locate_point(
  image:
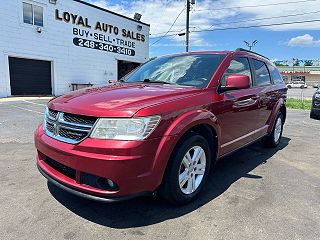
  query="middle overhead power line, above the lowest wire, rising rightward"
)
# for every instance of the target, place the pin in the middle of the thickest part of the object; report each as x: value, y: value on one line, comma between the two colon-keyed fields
x: 238, y: 21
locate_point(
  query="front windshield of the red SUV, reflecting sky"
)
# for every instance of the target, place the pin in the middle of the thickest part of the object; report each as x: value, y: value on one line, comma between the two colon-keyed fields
x: 194, y: 70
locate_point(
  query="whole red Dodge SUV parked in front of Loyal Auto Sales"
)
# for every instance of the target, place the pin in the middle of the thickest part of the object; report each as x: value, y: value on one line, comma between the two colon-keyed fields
x: 162, y: 127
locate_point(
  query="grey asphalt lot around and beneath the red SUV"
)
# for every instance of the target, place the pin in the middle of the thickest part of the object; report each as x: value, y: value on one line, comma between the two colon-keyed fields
x: 255, y: 193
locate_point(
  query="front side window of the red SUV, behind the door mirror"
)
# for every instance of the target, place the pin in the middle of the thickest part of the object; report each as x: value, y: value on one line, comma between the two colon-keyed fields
x: 237, y: 66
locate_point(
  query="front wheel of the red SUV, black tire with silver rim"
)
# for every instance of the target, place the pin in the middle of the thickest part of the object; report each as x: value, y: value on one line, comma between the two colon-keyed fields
x: 187, y: 170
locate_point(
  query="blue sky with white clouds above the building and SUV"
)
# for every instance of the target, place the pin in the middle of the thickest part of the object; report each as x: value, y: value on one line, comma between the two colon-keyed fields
x: 277, y: 42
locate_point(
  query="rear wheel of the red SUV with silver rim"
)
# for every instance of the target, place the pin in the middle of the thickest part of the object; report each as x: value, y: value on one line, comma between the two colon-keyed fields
x: 273, y: 139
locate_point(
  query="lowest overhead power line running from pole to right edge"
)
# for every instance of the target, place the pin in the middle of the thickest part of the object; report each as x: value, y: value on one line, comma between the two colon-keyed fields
x: 245, y: 27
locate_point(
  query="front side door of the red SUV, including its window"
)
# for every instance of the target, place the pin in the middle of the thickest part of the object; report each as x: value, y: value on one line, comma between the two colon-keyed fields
x: 237, y: 111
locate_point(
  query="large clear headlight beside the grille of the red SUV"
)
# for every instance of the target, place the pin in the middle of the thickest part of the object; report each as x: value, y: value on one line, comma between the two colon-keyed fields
x: 125, y: 128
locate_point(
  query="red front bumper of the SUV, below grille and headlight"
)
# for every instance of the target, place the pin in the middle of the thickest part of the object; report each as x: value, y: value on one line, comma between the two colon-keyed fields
x: 129, y: 164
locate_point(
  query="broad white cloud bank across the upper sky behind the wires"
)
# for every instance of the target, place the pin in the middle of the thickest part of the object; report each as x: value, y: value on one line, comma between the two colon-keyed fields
x: 160, y: 14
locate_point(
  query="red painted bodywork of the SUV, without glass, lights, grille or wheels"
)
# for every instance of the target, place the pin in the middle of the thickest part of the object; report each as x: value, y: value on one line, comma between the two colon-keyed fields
x: 237, y: 117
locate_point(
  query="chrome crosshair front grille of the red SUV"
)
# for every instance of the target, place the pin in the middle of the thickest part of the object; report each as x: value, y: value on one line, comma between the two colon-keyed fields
x: 66, y: 127
